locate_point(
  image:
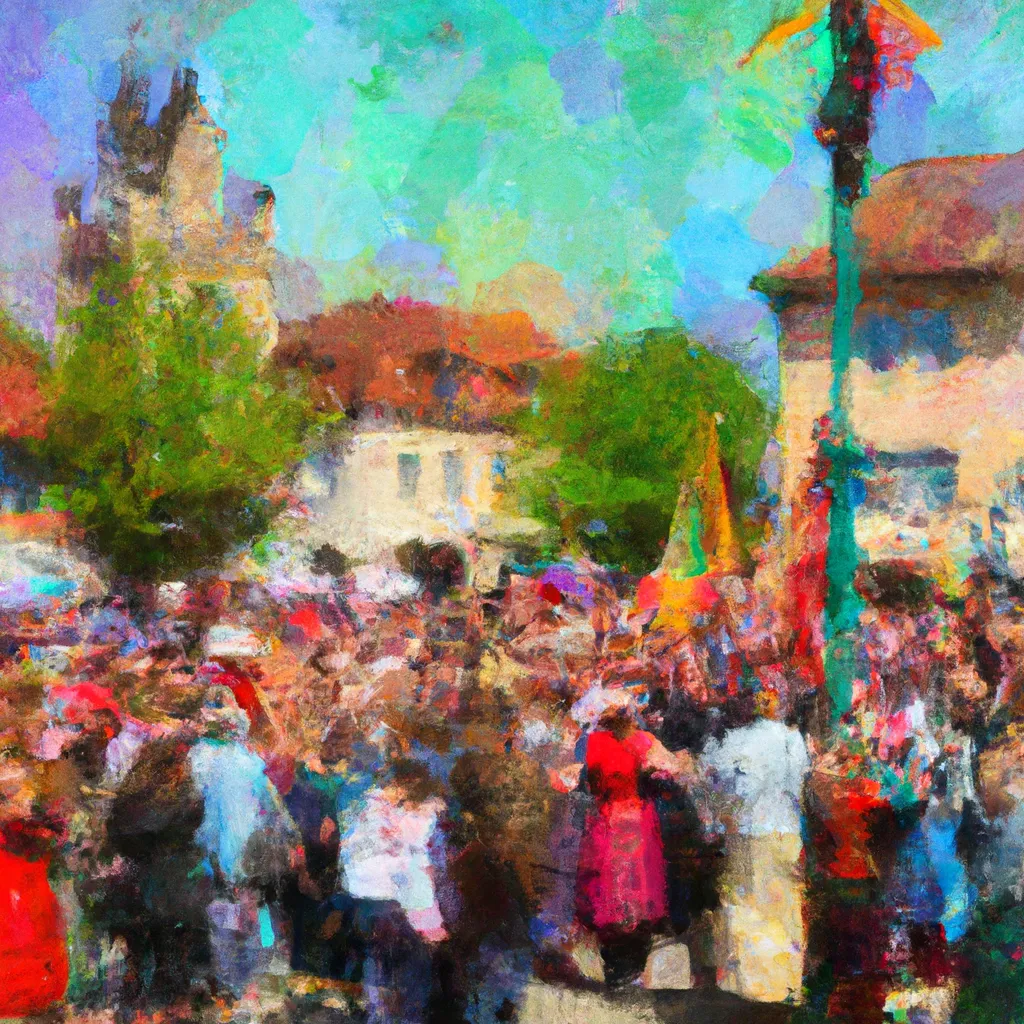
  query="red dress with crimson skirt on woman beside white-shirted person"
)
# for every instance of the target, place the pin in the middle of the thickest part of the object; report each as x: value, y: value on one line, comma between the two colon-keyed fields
x: 621, y: 881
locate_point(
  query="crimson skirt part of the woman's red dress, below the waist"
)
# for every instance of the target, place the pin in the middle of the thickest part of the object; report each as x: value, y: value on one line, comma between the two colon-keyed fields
x: 621, y: 881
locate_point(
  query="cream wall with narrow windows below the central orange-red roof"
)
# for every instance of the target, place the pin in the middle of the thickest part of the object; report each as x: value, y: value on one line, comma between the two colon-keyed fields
x: 365, y: 505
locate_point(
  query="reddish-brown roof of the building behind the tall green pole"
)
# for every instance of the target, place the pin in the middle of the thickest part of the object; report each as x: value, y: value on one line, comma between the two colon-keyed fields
x: 950, y: 217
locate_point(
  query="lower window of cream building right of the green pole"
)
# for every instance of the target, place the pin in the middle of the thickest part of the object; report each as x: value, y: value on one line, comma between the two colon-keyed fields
x: 908, y: 483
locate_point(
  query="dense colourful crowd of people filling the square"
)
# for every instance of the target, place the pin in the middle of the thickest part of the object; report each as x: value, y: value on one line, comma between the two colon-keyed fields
x: 424, y: 797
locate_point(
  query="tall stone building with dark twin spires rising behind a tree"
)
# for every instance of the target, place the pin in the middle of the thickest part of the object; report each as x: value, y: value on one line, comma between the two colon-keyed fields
x: 164, y: 182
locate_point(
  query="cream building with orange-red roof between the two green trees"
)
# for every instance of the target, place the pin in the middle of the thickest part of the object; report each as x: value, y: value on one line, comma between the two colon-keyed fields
x: 426, y: 390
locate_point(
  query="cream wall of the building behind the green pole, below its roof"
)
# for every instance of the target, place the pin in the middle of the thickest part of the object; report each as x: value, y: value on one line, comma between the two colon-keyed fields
x: 937, y: 366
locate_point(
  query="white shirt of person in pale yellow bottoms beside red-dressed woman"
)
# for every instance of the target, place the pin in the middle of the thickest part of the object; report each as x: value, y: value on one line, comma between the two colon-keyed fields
x: 760, y: 771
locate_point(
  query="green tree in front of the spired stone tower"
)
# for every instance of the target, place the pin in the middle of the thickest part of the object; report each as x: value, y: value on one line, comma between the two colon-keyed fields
x: 166, y: 426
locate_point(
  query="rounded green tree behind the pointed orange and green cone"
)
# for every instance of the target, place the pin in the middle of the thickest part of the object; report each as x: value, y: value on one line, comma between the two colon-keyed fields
x: 628, y: 419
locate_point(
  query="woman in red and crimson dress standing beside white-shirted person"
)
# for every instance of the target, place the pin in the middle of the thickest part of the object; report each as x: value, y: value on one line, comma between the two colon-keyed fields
x: 621, y: 880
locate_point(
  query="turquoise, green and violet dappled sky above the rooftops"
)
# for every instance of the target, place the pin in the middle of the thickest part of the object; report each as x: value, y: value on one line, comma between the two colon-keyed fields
x: 604, y: 164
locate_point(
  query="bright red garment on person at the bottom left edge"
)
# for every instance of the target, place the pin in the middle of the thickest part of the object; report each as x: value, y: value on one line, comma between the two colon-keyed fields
x: 33, y: 952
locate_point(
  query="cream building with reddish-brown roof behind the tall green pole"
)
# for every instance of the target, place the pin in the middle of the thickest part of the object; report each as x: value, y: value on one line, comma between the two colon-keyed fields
x: 938, y: 365
